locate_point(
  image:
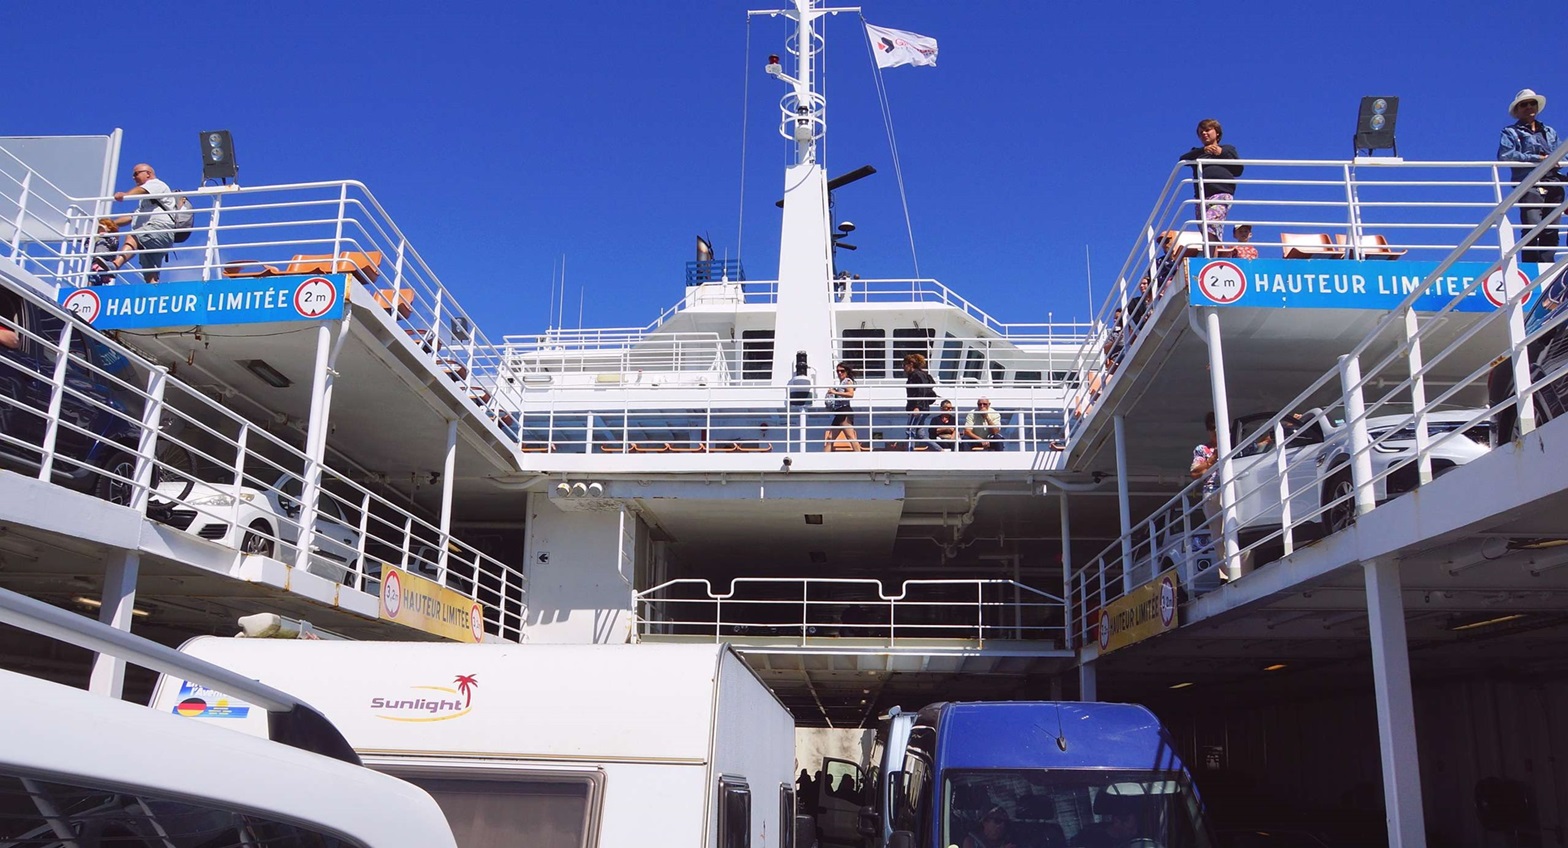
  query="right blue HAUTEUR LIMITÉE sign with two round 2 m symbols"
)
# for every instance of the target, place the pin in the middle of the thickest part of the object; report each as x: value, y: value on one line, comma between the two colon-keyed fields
x: 1346, y: 284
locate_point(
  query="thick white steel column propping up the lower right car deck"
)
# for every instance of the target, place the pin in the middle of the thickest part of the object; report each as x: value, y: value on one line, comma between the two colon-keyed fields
x: 1396, y: 719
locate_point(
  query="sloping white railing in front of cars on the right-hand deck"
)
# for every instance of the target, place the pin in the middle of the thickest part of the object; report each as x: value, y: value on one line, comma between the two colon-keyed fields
x: 1376, y: 427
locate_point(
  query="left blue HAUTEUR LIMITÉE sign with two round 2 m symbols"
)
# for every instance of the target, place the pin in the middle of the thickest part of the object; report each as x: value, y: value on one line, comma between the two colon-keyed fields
x: 227, y: 302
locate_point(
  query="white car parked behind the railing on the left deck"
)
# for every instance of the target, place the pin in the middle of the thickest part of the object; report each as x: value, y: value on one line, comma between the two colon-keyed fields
x: 264, y: 523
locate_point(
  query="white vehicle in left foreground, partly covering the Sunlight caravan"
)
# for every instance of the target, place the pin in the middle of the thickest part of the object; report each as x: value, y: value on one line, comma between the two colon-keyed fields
x: 82, y: 769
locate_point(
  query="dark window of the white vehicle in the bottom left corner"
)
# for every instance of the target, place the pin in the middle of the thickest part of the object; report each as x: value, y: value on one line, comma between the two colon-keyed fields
x: 32, y: 811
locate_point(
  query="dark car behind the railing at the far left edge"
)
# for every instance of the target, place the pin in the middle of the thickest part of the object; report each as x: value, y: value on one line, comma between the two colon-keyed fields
x: 95, y: 446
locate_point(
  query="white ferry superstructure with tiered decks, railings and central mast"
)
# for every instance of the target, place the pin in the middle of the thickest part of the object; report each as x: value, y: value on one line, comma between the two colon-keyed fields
x: 369, y: 457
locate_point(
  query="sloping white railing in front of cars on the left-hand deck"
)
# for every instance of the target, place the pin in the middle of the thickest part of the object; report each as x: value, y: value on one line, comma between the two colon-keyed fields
x: 84, y: 411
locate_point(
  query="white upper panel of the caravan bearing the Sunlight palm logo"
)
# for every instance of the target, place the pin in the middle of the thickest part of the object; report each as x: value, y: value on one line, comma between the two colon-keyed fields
x: 546, y: 701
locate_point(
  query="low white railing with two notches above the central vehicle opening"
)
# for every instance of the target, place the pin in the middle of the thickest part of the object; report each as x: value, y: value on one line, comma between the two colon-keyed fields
x: 800, y: 611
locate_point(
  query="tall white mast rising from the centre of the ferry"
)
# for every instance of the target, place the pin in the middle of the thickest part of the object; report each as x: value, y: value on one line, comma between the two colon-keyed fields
x: 805, y: 299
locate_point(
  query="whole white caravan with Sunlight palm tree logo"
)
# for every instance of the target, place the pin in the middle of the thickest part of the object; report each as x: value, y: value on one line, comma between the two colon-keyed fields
x: 546, y: 745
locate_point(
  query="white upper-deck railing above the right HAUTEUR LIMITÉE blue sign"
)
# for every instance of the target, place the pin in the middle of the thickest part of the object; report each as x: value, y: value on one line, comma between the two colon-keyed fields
x: 1421, y: 211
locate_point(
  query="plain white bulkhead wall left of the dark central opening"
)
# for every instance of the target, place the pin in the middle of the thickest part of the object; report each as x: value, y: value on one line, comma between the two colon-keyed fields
x: 581, y: 567
